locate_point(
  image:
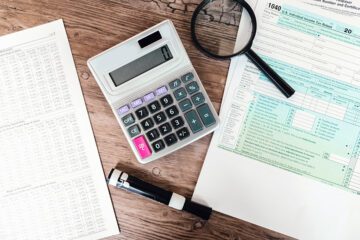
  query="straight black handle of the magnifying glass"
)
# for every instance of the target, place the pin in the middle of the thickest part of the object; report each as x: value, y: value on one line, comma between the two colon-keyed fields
x: 280, y: 83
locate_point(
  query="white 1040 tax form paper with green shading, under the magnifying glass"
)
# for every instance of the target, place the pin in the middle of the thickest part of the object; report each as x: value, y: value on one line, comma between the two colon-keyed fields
x: 291, y: 165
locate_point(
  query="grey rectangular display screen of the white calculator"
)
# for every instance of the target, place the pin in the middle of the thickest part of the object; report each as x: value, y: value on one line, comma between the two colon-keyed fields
x: 141, y: 65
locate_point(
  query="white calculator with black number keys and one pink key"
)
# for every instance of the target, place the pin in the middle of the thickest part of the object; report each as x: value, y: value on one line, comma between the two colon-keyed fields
x: 154, y: 92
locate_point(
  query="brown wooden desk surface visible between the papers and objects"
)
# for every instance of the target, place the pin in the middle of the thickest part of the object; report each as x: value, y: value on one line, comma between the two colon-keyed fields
x: 95, y: 25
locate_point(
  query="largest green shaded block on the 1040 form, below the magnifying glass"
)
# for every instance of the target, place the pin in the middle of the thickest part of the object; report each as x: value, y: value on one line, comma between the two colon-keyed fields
x: 267, y: 135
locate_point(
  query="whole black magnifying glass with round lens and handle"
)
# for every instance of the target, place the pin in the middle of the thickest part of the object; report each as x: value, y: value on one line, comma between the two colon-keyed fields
x: 215, y: 26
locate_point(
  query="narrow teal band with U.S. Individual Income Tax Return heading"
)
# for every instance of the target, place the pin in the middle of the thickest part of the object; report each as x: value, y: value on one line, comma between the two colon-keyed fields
x: 311, y: 24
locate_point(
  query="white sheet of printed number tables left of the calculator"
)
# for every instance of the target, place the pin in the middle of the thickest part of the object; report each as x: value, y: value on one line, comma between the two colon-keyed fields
x: 51, y: 181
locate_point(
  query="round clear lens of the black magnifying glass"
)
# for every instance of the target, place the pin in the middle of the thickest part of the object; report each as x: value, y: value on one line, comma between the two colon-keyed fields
x: 218, y: 24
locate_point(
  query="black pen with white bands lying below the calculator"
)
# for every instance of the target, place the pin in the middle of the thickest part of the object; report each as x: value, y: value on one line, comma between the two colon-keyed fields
x: 122, y: 180
